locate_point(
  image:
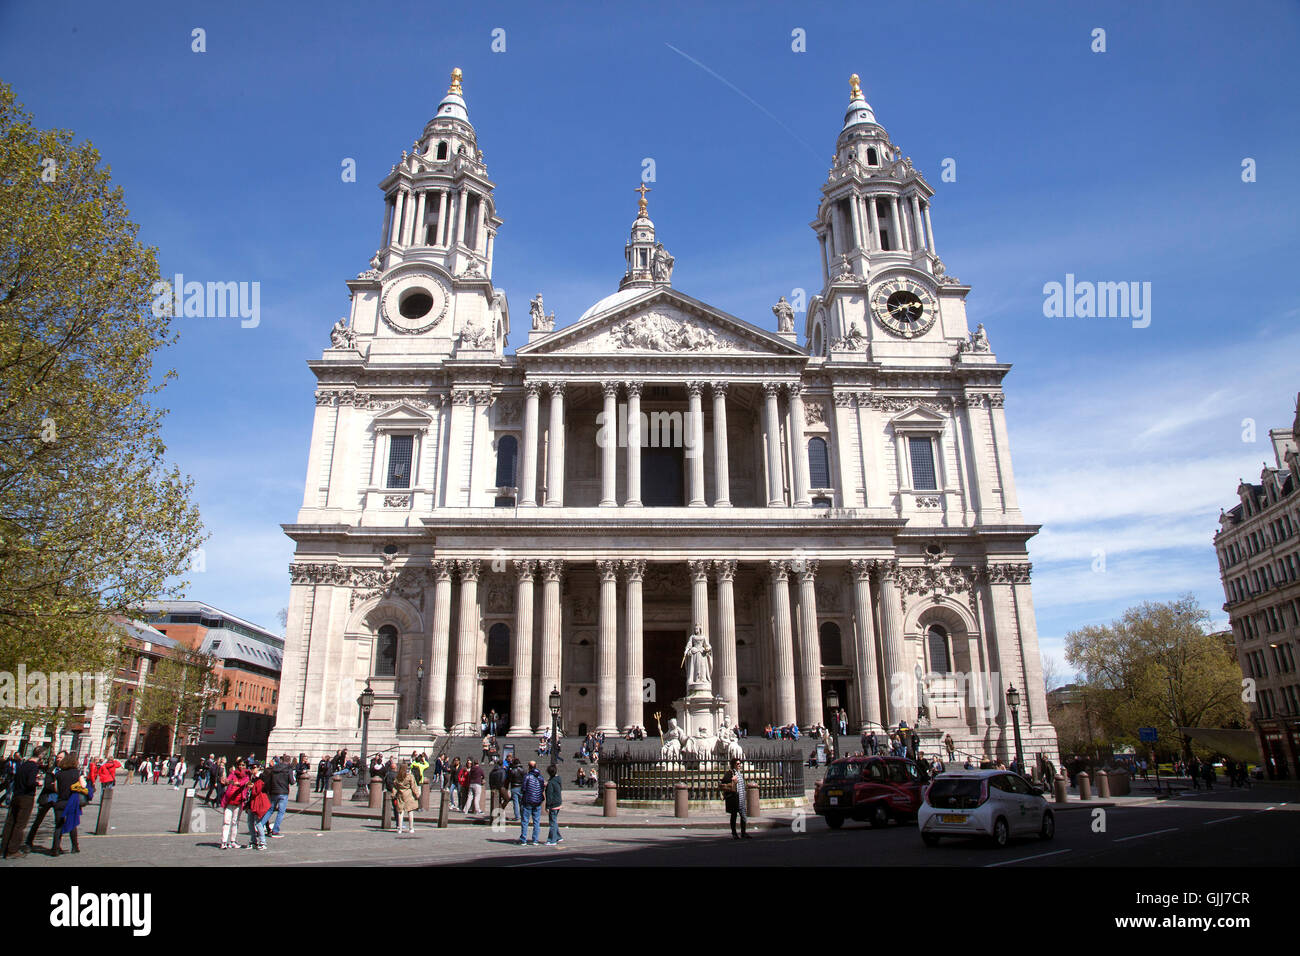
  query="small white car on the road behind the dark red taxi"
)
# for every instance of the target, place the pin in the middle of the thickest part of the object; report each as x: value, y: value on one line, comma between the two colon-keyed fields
x: 994, y: 804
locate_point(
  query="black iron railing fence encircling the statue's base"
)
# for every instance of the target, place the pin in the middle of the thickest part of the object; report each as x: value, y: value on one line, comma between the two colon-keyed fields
x: 642, y: 777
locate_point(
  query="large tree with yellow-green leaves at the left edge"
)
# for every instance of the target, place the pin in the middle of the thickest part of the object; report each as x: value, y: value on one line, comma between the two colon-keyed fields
x: 93, y: 521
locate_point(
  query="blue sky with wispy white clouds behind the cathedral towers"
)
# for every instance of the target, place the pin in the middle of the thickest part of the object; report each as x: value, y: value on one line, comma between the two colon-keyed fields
x: 1124, y: 166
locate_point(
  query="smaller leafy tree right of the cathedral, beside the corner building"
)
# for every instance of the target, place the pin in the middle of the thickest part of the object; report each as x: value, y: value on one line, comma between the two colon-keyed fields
x: 1159, y: 667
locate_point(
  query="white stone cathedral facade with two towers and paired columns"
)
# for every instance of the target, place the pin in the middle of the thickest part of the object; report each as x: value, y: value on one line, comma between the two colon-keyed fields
x: 837, y: 511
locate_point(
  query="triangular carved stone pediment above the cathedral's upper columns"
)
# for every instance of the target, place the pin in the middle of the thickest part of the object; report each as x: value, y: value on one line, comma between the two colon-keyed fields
x: 661, y: 322
